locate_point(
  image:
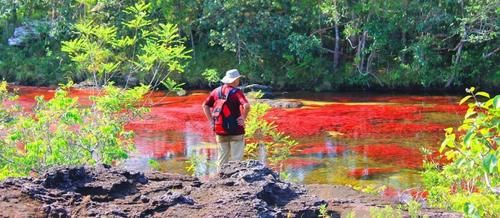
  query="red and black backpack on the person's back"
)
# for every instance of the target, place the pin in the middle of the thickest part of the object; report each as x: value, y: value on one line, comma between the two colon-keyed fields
x: 224, y: 121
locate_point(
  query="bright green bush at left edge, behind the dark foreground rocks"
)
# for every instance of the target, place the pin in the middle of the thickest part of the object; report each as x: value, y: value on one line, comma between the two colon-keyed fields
x: 60, y: 131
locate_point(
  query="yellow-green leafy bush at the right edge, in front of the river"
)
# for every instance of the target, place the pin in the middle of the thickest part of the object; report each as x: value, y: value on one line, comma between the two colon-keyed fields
x: 469, y: 183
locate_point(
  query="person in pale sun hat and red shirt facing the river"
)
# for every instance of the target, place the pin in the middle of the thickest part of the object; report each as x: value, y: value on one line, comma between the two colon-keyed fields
x: 226, y: 108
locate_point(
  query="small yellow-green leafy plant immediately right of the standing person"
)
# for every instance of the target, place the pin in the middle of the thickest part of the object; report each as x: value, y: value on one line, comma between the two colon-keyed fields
x: 259, y: 133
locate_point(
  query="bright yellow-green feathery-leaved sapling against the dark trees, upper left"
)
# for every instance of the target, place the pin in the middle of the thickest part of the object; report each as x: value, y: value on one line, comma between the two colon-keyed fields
x: 140, y: 46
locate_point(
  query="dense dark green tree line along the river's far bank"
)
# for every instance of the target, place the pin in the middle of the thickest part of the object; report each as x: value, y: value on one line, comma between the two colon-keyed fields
x: 307, y: 44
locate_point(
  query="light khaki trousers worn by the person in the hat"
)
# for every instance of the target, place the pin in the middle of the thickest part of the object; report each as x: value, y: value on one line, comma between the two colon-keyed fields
x: 232, y: 145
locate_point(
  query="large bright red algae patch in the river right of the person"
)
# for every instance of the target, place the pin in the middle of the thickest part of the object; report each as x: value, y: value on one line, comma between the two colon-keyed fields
x: 353, y: 120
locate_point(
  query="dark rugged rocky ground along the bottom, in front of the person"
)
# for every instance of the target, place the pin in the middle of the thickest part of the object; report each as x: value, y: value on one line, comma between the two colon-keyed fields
x: 242, y: 189
